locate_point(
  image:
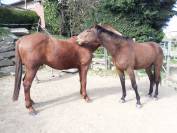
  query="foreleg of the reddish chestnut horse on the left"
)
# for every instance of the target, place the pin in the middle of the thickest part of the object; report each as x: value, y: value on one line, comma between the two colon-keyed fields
x: 83, y: 81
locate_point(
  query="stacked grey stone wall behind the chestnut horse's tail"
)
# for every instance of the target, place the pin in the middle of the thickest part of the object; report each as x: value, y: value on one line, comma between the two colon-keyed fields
x: 7, y: 54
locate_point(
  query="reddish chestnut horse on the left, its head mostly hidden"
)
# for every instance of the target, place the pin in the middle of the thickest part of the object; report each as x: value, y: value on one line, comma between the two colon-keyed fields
x: 37, y: 49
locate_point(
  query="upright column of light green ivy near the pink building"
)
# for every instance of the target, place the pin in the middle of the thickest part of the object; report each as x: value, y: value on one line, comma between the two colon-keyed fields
x: 52, y: 17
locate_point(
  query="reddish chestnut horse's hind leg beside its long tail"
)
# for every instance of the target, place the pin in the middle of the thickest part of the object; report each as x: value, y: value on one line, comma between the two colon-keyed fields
x: 27, y: 81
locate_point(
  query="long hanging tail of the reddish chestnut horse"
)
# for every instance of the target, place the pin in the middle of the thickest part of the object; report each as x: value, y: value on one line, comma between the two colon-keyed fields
x: 18, y: 72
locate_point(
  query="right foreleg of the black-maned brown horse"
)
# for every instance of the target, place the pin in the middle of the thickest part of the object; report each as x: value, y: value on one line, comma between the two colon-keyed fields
x: 134, y: 85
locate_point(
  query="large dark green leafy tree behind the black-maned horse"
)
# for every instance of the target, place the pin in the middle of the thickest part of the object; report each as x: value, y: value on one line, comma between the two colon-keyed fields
x: 142, y: 20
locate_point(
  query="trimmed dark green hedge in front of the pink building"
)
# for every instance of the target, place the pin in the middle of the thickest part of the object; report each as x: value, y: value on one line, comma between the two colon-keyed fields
x: 16, y: 16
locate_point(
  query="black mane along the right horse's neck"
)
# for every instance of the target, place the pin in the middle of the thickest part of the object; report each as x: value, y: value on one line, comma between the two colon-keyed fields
x: 110, y: 33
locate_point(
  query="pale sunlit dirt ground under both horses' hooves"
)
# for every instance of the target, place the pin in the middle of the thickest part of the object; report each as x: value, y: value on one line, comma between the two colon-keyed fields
x: 61, y: 109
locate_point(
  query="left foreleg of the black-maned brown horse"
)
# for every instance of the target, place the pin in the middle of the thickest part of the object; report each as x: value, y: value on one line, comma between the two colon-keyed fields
x: 122, y: 80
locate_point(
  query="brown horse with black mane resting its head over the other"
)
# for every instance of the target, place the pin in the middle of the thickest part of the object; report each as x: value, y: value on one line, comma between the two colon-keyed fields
x: 127, y: 56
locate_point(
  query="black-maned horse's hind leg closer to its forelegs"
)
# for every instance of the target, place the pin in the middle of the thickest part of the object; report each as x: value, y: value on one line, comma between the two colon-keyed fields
x: 151, y: 79
